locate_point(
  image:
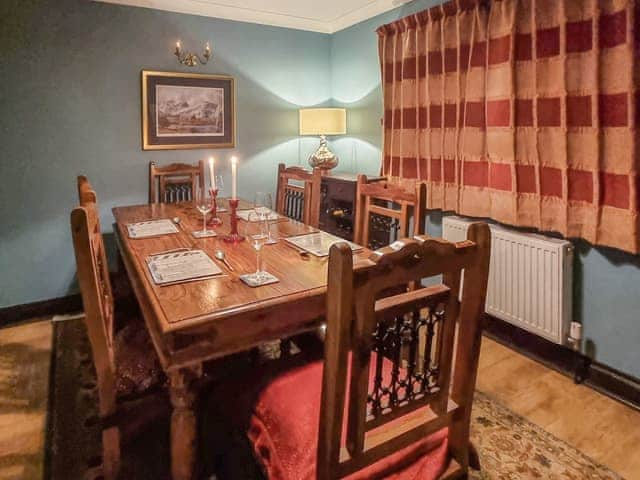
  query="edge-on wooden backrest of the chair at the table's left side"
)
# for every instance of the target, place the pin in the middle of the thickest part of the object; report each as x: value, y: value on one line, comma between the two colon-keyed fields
x: 97, y: 296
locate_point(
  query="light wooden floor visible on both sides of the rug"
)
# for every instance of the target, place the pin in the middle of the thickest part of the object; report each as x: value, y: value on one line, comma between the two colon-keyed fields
x: 604, y: 429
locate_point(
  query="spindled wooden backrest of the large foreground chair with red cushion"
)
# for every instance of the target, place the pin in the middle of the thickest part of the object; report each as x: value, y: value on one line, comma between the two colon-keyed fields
x: 365, y: 337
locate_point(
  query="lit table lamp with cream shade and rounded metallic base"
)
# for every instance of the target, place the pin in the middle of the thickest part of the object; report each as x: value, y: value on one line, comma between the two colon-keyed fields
x: 323, y: 122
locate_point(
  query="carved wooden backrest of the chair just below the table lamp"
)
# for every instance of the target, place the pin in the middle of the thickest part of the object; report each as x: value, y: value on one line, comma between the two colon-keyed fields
x: 300, y: 202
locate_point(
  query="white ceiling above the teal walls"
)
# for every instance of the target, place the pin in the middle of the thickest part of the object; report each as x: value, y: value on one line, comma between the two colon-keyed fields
x: 326, y: 16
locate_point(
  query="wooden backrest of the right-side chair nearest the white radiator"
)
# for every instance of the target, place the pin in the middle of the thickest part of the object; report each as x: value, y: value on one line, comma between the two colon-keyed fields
x: 375, y: 199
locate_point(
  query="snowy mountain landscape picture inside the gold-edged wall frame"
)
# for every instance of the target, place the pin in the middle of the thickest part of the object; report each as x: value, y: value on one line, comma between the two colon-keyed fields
x: 183, y: 111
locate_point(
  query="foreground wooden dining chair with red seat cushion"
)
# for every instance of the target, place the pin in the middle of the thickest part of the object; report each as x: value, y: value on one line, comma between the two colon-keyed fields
x: 360, y: 412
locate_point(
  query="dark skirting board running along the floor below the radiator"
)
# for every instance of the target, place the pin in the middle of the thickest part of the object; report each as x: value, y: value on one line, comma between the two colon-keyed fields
x: 602, y: 378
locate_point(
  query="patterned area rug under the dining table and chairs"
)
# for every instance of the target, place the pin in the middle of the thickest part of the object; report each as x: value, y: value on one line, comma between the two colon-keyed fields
x: 510, y: 447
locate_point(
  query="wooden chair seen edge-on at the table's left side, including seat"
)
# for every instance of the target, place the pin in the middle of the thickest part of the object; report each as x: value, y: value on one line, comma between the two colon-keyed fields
x: 125, y: 362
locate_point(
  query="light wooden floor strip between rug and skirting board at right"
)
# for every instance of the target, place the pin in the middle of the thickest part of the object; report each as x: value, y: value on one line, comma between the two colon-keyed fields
x: 602, y: 428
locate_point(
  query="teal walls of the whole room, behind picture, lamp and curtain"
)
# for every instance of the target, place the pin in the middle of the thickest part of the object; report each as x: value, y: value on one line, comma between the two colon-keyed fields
x: 70, y: 104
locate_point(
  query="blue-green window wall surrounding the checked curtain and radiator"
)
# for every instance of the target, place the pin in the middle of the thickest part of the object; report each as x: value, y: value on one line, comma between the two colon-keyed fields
x: 606, y: 281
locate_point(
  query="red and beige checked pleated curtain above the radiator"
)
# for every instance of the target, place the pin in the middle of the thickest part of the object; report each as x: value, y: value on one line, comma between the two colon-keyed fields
x: 524, y: 111
